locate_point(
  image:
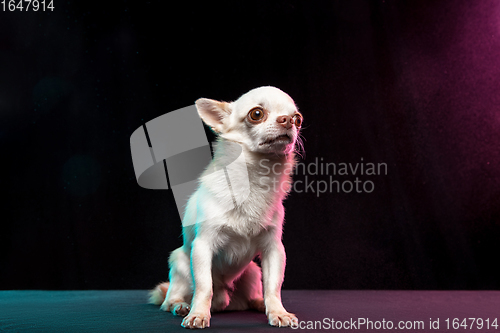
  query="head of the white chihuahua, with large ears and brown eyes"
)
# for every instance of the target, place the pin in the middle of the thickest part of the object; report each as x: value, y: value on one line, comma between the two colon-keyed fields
x: 264, y: 119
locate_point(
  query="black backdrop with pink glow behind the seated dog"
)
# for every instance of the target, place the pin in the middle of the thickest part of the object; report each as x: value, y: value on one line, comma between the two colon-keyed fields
x: 414, y: 84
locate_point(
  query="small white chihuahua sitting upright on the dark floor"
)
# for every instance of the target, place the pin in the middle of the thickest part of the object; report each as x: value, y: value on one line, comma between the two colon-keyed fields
x: 214, y: 269
